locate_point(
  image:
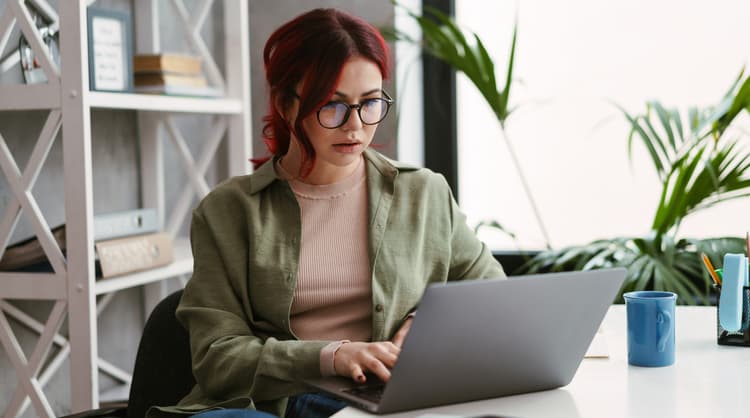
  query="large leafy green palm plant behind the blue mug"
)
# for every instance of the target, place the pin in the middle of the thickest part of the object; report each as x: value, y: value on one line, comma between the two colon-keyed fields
x: 700, y: 164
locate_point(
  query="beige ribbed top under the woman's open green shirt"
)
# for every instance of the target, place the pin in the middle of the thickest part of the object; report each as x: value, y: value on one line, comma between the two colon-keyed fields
x: 333, y: 298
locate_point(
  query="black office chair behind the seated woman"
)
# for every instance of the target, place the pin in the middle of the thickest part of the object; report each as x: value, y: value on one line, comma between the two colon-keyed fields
x: 162, y: 374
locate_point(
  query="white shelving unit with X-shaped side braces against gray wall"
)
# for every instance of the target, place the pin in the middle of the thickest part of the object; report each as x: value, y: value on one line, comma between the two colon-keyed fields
x: 72, y: 285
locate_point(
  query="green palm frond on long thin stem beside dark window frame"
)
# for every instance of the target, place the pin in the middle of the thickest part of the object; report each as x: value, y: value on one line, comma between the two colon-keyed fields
x: 465, y: 52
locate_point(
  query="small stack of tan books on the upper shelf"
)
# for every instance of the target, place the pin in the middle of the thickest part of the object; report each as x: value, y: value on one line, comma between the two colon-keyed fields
x: 173, y: 74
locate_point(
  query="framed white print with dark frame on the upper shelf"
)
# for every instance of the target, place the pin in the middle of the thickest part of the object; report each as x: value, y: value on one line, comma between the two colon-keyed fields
x: 110, y: 50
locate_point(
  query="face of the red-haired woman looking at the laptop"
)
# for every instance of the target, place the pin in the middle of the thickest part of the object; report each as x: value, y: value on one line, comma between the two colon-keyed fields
x: 338, y: 150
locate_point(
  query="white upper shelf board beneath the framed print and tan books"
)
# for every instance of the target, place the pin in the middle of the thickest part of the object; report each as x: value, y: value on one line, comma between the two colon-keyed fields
x: 163, y: 103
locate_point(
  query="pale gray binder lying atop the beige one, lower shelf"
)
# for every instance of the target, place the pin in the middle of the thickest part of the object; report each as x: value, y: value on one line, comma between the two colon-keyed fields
x: 125, y: 223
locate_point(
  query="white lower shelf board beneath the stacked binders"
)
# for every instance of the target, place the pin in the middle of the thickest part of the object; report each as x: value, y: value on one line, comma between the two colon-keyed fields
x: 183, y: 264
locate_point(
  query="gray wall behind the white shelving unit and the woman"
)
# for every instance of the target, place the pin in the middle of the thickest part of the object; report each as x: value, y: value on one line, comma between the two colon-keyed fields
x: 116, y: 173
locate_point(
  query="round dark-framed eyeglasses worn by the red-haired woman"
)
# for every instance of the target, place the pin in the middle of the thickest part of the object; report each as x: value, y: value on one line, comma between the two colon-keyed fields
x: 371, y: 111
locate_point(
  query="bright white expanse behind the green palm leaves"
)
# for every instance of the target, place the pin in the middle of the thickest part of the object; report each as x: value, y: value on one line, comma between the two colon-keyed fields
x: 571, y: 58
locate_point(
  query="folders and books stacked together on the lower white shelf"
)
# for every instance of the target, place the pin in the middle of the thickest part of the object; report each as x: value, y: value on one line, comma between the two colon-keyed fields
x: 125, y: 242
